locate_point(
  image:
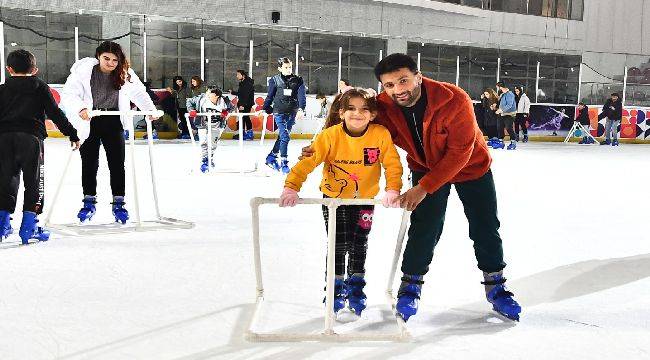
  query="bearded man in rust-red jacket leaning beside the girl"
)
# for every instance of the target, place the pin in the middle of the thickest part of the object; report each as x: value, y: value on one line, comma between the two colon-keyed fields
x: 434, y: 123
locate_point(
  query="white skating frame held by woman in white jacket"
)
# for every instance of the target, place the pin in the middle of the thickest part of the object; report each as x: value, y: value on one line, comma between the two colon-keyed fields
x: 159, y: 223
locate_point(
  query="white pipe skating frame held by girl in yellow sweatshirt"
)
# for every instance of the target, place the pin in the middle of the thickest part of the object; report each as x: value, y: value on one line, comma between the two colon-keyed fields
x: 328, y: 333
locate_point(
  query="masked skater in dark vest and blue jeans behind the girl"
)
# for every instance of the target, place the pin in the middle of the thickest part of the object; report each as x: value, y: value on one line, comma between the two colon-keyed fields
x: 286, y: 100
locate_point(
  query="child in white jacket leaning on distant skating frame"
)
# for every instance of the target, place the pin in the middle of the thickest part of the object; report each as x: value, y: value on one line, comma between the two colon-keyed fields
x: 210, y: 101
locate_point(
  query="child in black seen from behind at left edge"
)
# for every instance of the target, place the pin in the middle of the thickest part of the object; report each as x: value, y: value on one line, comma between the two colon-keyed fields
x: 24, y: 101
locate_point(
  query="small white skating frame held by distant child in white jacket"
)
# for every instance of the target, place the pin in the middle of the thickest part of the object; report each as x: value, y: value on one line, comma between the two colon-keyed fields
x: 240, y: 119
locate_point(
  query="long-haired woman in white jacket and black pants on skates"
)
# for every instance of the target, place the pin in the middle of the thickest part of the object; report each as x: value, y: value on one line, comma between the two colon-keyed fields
x: 105, y: 82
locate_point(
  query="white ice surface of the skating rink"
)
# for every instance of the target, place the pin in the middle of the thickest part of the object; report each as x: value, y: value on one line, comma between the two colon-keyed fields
x: 574, y: 223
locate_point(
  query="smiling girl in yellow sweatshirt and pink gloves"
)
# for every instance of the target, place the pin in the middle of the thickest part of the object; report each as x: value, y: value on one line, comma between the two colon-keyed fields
x: 353, y: 150
